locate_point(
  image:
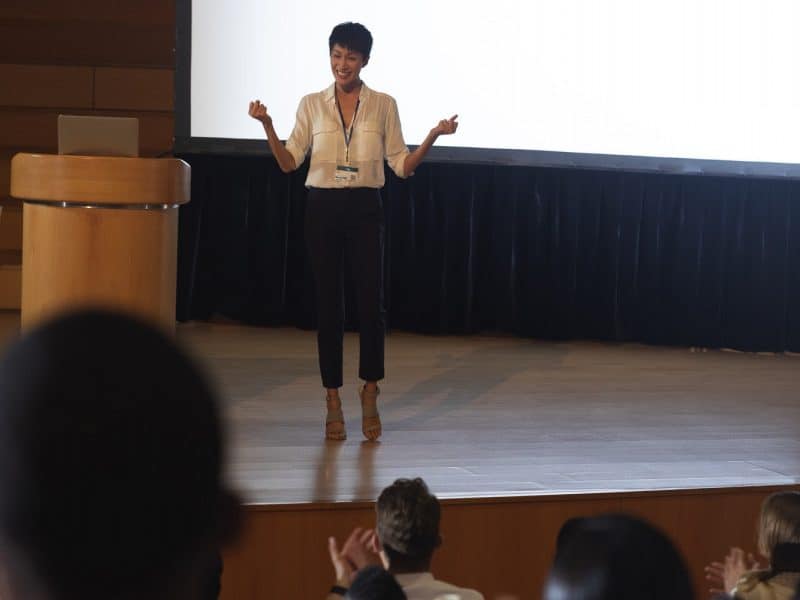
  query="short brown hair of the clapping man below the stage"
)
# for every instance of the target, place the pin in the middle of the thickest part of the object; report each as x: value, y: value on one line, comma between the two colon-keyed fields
x: 408, y: 518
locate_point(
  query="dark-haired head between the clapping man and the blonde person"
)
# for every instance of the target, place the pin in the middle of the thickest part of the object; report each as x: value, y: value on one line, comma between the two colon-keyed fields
x: 616, y: 557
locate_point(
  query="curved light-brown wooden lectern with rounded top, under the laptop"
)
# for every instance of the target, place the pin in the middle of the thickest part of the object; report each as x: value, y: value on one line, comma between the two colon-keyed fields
x: 99, y: 231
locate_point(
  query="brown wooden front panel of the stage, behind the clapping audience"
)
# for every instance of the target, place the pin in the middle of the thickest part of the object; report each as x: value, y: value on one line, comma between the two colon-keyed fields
x: 499, y: 546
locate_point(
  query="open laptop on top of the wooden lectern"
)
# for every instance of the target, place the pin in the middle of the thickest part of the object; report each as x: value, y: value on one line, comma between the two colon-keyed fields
x: 98, y: 136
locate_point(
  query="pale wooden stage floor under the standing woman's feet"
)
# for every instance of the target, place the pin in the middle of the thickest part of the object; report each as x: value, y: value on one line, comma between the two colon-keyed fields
x: 492, y: 416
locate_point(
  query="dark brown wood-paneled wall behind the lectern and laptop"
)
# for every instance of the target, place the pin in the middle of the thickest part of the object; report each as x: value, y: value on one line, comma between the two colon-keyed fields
x: 94, y: 57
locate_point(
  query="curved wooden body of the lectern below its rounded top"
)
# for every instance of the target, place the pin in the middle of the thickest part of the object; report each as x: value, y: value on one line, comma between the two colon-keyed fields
x: 104, y: 257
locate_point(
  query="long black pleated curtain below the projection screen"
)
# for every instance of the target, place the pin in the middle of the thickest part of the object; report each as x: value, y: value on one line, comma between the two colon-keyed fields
x: 546, y: 253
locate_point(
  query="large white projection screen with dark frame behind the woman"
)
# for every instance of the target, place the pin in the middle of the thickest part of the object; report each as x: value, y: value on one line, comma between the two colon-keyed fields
x: 698, y: 86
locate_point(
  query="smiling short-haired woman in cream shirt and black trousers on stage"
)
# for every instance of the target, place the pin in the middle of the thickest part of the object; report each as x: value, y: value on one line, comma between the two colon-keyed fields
x: 350, y: 130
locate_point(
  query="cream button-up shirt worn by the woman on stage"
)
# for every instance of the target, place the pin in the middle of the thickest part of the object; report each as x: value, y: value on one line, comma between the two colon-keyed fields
x: 376, y: 136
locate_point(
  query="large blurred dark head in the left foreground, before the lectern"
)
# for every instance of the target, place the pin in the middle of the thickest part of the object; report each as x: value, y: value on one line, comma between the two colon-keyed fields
x: 111, y: 457
